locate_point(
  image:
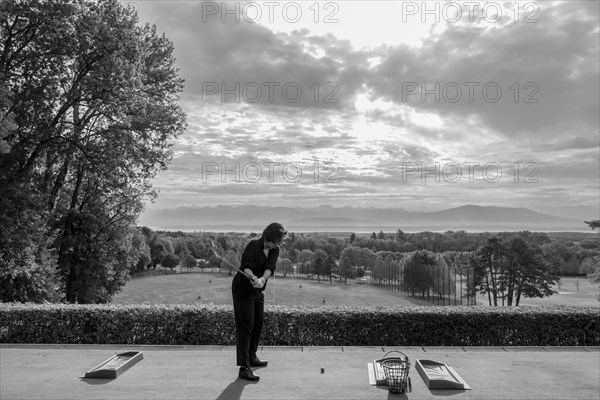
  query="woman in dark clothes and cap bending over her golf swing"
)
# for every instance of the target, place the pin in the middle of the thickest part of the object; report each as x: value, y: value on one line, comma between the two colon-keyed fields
x: 258, y: 261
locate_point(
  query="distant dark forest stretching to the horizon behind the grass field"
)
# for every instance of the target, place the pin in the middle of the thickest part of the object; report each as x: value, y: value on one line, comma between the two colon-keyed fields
x: 568, y: 253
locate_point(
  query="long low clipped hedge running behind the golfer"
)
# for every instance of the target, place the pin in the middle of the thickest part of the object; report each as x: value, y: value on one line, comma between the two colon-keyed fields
x: 306, y: 326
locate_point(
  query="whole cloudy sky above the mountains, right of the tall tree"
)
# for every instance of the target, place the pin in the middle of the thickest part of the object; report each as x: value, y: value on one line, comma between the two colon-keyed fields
x: 384, y: 104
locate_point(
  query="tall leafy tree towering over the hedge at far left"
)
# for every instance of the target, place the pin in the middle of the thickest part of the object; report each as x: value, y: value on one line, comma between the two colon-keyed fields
x: 90, y: 109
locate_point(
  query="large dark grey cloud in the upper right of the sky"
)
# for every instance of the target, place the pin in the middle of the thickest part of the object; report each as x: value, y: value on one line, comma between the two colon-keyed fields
x: 554, y: 62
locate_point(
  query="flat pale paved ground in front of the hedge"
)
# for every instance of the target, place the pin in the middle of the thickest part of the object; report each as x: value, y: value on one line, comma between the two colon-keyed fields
x: 205, y: 372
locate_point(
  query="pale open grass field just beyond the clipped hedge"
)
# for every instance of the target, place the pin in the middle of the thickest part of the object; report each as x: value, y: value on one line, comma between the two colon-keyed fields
x: 215, y: 288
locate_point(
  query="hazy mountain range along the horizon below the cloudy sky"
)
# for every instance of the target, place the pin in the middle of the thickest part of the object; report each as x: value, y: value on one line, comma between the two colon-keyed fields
x: 326, y: 218
